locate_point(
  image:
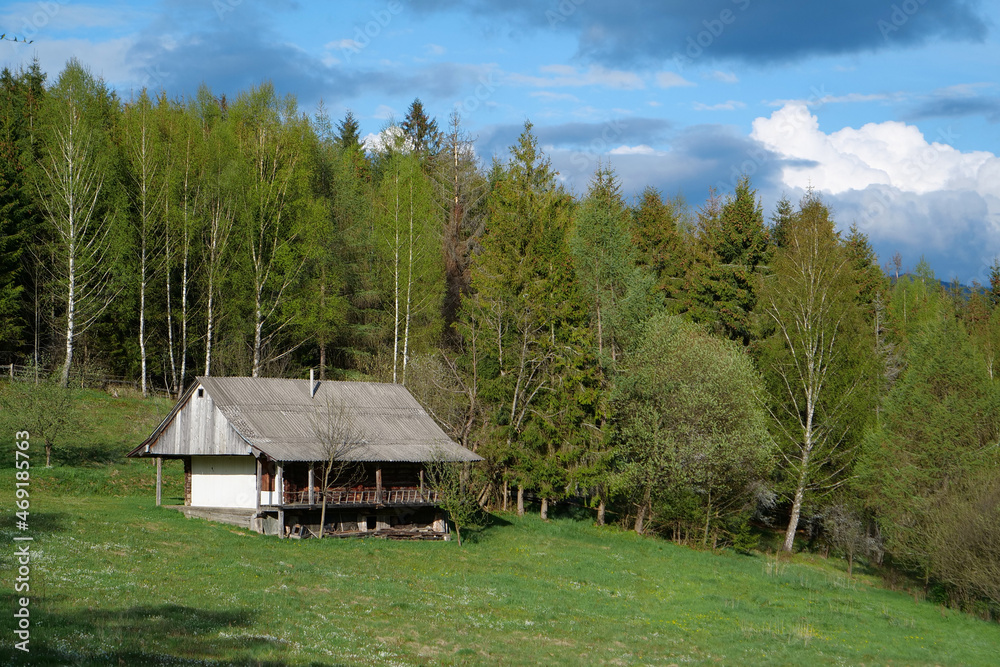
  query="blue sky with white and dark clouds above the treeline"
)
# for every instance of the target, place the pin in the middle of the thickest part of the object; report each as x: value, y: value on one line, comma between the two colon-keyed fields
x: 891, y: 110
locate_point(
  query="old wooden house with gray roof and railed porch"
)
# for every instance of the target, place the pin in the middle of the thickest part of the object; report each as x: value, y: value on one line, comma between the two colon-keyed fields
x: 256, y: 451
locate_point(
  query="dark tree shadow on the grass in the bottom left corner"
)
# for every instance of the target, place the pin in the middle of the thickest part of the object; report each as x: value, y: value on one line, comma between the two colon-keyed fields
x: 155, y: 635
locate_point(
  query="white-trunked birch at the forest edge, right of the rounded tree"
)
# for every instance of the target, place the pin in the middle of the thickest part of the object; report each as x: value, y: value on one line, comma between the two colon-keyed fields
x: 813, y: 359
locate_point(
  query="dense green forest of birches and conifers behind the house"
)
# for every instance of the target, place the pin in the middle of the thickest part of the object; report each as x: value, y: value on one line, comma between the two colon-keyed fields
x: 686, y: 372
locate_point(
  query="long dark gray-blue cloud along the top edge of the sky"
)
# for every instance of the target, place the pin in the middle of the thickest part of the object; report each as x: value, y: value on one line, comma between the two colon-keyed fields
x: 631, y: 32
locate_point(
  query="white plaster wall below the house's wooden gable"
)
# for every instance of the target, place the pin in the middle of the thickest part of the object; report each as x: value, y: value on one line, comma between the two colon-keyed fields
x: 223, y: 481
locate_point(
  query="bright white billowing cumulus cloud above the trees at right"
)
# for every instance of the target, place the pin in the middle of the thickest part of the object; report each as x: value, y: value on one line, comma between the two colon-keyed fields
x: 907, y: 192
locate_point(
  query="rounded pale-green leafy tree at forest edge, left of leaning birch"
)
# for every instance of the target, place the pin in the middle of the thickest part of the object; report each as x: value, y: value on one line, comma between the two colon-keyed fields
x: 689, y: 423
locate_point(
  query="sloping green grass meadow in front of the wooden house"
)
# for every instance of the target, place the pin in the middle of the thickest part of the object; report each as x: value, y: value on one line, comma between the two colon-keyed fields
x: 117, y: 581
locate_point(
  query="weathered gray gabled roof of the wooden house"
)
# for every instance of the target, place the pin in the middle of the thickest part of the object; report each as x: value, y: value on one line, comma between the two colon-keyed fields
x: 279, y: 418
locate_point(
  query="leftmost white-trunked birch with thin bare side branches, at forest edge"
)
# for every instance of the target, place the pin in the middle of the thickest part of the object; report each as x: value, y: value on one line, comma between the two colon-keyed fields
x: 73, y: 175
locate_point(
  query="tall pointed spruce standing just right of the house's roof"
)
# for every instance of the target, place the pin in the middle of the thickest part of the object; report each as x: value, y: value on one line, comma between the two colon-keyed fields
x: 523, y: 280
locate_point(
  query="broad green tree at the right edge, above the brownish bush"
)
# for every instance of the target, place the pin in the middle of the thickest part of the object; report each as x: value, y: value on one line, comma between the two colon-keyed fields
x: 939, y: 429
